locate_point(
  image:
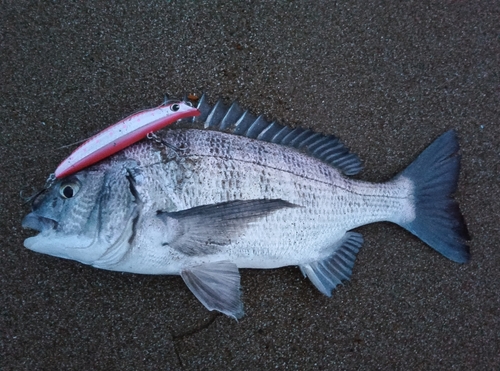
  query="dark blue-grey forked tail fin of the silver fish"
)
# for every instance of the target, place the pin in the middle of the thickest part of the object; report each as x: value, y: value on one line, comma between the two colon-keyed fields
x: 438, y: 220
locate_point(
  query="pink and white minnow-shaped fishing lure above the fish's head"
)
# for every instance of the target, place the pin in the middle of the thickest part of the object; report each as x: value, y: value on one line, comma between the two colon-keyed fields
x: 124, y: 133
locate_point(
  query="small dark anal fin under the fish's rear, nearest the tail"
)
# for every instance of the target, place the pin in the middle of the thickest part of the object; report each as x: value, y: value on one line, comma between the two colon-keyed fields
x: 328, y: 273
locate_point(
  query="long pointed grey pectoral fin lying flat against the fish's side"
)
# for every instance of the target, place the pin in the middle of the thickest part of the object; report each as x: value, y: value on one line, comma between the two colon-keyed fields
x: 204, y: 229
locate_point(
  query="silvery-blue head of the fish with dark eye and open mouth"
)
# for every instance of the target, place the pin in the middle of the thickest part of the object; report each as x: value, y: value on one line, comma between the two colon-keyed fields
x: 89, y: 217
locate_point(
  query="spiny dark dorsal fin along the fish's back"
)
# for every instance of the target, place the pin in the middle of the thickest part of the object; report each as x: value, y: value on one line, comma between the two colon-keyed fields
x: 235, y: 120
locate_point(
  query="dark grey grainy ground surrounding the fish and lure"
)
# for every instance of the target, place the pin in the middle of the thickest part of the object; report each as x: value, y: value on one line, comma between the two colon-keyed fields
x: 387, y: 78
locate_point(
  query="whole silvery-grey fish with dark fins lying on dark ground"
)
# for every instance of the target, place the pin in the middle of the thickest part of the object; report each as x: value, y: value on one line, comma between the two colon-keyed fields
x: 232, y: 191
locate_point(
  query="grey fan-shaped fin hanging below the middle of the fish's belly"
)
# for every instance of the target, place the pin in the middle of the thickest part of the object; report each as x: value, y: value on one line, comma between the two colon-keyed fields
x: 217, y: 286
